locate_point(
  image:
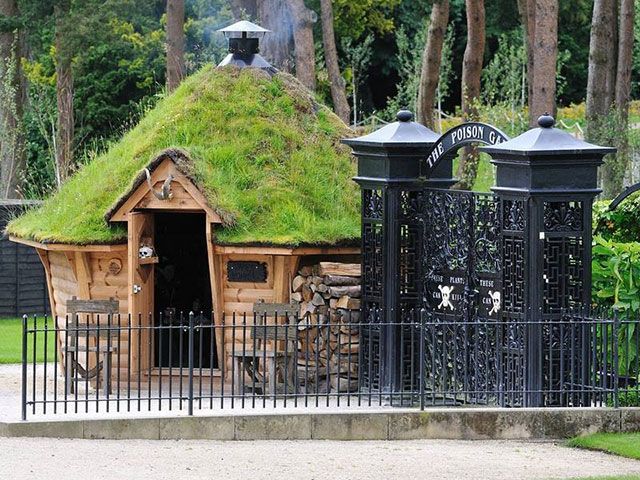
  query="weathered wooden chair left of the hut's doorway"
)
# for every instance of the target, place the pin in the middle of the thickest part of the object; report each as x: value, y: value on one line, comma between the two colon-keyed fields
x: 96, y: 341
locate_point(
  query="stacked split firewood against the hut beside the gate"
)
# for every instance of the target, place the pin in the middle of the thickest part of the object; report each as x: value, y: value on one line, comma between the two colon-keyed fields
x: 329, y: 343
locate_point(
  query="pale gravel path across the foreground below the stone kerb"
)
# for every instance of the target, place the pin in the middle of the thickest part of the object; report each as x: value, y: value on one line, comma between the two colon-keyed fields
x: 300, y: 460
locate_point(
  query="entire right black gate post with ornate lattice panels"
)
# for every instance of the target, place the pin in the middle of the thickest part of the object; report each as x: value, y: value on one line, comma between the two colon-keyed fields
x: 546, y: 181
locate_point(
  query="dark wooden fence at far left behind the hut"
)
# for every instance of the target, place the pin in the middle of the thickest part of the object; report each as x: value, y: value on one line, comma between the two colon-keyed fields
x: 23, y: 288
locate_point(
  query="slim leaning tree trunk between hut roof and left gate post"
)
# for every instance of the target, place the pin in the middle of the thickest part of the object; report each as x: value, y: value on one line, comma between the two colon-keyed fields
x: 338, y: 91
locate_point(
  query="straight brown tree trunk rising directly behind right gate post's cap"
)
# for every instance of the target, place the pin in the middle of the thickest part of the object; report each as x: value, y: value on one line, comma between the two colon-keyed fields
x: 545, y: 58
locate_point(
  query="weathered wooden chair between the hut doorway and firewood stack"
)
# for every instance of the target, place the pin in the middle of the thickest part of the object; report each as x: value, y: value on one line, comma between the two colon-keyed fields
x: 269, y: 360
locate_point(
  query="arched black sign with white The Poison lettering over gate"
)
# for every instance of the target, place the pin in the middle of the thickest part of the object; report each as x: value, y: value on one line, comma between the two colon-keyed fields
x: 457, y: 137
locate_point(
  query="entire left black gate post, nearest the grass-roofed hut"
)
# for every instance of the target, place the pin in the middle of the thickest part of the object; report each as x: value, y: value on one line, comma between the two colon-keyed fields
x: 389, y: 178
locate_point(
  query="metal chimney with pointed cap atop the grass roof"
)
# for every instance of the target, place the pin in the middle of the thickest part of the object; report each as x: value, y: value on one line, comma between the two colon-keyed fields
x: 244, y: 38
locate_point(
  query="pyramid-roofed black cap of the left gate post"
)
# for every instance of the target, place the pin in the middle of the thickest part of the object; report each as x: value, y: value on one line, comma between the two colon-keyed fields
x: 393, y: 152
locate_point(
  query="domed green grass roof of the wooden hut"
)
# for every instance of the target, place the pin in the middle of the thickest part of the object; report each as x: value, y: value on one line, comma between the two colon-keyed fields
x: 266, y: 156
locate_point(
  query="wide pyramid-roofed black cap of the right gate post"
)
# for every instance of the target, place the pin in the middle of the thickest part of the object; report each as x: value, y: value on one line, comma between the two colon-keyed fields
x: 547, y: 159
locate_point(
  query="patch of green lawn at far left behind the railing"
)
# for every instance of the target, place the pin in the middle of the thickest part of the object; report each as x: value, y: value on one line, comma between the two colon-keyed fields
x: 11, y: 341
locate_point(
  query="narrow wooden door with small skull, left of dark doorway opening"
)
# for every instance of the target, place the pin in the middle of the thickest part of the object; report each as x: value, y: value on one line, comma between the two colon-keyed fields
x: 141, y: 285
